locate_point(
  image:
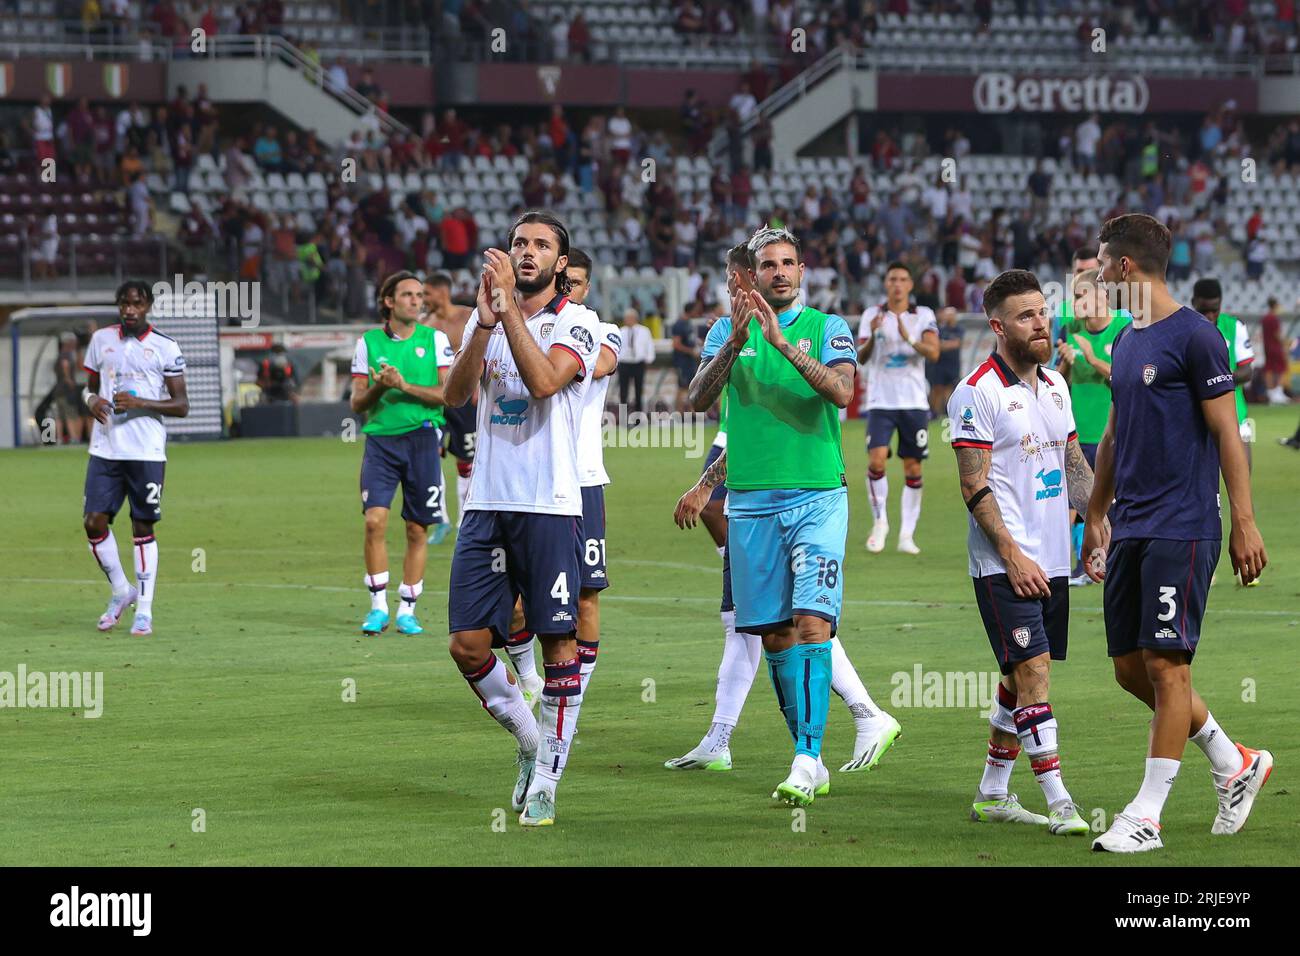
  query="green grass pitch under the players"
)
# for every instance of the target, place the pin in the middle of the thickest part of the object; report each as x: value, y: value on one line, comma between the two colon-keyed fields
x: 236, y: 704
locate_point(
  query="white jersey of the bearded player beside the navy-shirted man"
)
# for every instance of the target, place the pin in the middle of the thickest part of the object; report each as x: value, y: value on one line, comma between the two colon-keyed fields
x: 1026, y: 435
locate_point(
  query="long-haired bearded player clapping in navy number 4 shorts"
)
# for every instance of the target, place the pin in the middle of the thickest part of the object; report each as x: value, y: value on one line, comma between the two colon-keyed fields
x: 532, y: 356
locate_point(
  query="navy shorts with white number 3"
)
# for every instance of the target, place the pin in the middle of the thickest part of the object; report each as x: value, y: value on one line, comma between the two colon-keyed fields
x: 1156, y: 592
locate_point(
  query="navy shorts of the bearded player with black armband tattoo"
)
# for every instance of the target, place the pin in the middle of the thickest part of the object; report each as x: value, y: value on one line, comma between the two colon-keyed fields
x: 1024, y: 628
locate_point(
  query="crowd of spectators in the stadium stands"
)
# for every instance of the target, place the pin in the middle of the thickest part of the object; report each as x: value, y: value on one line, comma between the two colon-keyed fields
x: 848, y: 233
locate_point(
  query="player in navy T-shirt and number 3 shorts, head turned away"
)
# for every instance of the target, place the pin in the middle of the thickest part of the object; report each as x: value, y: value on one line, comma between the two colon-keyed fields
x: 1172, y: 429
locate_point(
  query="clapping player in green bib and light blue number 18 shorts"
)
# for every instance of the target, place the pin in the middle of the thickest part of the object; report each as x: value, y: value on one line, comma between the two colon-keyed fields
x: 788, y: 507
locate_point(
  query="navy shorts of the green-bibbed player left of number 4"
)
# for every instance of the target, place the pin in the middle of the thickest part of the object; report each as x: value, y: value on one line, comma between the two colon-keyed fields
x: 413, y: 461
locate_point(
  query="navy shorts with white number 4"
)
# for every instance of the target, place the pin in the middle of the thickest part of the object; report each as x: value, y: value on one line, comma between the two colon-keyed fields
x: 502, y: 556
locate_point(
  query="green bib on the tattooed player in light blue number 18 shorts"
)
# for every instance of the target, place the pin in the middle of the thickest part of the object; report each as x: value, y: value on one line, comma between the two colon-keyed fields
x: 781, y: 432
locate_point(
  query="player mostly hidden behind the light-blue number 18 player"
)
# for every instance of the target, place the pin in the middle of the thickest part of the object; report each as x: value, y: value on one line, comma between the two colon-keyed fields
x: 877, y: 730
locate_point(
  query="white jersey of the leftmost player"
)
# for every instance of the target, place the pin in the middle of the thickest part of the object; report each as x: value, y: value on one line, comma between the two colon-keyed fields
x: 140, y: 366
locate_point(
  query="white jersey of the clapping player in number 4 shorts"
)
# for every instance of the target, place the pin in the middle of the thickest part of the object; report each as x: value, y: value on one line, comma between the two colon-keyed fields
x: 526, y: 457
